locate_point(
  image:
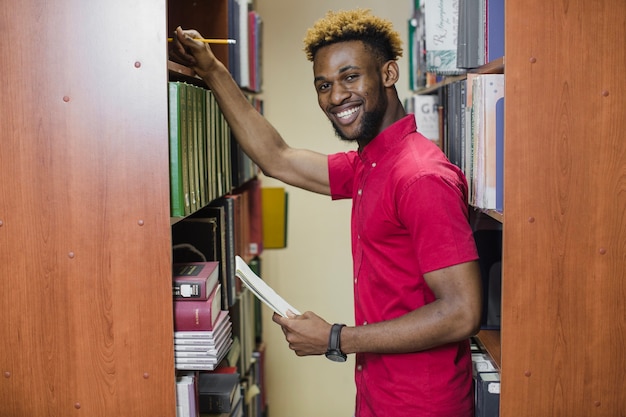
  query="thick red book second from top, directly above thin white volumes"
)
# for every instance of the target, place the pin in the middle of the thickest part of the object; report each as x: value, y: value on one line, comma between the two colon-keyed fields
x: 200, y: 315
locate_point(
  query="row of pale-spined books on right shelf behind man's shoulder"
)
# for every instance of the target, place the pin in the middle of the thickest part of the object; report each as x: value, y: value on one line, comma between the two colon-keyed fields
x: 466, y: 119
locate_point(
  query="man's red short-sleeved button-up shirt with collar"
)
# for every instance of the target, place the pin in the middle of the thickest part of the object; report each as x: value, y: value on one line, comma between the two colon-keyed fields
x: 409, y: 217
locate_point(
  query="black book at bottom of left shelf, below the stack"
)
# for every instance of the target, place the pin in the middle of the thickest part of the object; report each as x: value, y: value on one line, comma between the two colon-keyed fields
x: 218, y: 392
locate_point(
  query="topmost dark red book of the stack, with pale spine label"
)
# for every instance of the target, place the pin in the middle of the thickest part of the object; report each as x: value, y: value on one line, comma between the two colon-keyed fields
x: 194, y: 280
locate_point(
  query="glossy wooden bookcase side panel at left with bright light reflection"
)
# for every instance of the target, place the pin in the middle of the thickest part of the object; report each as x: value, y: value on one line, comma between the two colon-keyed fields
x: 85, y: 257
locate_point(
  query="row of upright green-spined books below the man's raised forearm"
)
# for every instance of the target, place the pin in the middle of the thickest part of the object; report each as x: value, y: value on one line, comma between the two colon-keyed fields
x: 205, y: 163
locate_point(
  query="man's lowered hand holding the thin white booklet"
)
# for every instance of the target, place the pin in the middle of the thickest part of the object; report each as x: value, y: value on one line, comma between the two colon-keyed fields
x: 307, y: 334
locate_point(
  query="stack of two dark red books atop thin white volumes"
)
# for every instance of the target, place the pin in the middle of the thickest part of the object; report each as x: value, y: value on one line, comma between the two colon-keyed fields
x: 202, y: 330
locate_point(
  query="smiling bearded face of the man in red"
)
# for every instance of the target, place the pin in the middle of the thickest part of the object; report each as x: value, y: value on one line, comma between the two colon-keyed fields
x: 350, y: 90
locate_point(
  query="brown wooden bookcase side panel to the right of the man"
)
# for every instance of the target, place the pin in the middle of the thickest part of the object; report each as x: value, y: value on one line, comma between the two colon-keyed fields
x: 564, y: 316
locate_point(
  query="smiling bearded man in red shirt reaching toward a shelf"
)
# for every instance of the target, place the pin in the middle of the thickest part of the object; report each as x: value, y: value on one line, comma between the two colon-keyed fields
x: 416, y: 279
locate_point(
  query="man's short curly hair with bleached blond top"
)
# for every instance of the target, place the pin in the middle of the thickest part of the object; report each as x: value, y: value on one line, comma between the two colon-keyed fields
x: 358, y: 24
